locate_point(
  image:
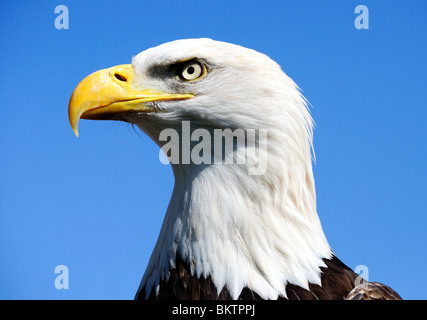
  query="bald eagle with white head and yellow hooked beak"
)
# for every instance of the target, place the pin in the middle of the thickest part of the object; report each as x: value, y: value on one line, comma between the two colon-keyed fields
x: 242, y: 220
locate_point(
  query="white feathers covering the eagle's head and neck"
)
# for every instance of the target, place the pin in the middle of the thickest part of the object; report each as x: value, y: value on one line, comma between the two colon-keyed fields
x: 257, y: 231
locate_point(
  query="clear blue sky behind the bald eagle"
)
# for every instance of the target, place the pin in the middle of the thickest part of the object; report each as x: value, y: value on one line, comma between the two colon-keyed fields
x: 96, y: 203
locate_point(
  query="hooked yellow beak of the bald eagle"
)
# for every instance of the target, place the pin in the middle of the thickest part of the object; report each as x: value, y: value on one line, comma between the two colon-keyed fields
x: 107, y: 93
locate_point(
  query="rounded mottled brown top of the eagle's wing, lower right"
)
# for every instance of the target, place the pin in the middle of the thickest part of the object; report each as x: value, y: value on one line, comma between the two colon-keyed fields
x: 373, y: 291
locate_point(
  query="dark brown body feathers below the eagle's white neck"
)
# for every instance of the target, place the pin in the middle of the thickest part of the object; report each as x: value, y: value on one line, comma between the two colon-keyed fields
x: 338, y: 283
